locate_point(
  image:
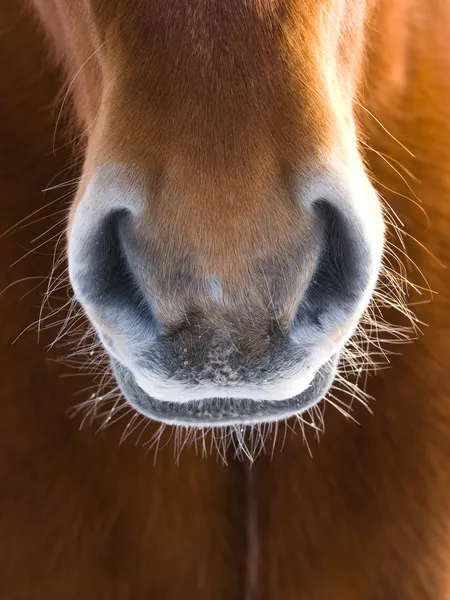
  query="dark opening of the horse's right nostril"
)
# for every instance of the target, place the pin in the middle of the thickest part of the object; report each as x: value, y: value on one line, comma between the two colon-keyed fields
x: 342, y: 271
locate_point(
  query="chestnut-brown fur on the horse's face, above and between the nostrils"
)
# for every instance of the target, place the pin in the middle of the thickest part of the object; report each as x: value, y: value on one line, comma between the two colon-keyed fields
x: 212, y: 105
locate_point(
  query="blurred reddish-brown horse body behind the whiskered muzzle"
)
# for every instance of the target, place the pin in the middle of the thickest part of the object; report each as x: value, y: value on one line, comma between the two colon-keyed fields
x: 366, y: 518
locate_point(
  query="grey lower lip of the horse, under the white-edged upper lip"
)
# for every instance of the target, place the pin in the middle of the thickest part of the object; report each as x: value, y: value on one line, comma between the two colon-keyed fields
x: 220, y: 412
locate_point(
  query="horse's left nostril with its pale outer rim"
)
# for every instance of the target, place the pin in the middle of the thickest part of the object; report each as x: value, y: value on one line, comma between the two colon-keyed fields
x: 101, y: 268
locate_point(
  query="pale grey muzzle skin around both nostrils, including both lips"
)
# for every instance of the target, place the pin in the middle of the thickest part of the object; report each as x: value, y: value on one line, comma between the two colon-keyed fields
x: 203, y: 375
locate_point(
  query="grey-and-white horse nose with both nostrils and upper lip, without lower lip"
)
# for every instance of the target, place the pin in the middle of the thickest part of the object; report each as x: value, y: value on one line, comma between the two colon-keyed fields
x: 272, y: 362
